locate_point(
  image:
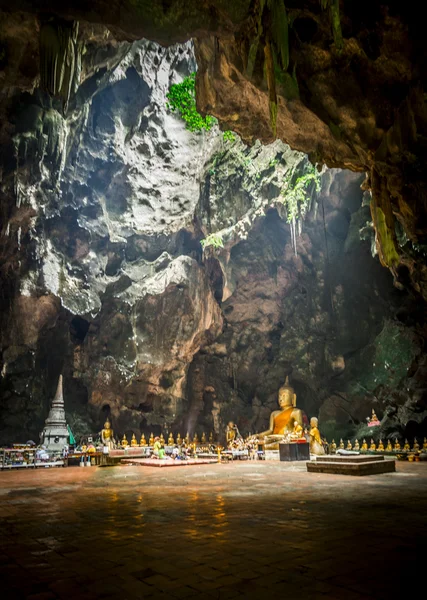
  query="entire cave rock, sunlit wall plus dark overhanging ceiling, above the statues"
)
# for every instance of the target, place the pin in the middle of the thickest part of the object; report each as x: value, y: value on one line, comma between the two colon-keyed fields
x: 103, y: 264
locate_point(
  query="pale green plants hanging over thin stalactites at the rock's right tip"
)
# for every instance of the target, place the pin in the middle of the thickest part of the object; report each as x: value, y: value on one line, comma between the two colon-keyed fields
x: 297, y: 194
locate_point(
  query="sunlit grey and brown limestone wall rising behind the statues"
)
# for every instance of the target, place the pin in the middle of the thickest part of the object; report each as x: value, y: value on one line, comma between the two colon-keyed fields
x: 104, y: 278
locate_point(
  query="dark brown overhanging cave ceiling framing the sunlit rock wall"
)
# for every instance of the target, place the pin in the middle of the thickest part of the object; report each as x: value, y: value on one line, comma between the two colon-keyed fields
x: 350, y: 95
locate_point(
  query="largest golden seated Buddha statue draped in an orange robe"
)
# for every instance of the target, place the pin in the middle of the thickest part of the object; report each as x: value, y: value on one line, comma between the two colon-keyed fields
x: 282, y: 421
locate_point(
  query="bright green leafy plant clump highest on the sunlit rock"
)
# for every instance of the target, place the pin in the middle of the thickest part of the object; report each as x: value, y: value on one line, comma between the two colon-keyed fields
x: 182, y: 98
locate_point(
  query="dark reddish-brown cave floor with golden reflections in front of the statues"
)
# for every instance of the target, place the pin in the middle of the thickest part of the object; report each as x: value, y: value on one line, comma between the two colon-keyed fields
x: 239, y: 530
